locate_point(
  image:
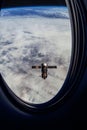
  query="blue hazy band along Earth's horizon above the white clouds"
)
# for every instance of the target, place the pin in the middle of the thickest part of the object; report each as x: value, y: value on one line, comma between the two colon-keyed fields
x: 42, y: 11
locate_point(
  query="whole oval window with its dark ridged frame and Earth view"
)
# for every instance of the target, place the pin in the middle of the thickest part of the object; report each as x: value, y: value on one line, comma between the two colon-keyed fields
x: 31, y: 54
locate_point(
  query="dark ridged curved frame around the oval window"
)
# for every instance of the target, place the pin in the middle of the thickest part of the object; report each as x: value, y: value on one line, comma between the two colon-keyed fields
x: 76, y: 69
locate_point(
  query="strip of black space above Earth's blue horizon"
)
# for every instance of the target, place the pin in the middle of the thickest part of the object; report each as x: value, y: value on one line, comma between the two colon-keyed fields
x: 15, y: 3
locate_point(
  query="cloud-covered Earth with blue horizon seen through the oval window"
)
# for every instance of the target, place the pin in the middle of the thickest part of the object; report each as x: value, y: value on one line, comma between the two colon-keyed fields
x: 32, y: 36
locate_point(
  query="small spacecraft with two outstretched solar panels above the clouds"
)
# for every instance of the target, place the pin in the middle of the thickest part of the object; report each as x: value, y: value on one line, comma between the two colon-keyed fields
x: 44, y: 68
